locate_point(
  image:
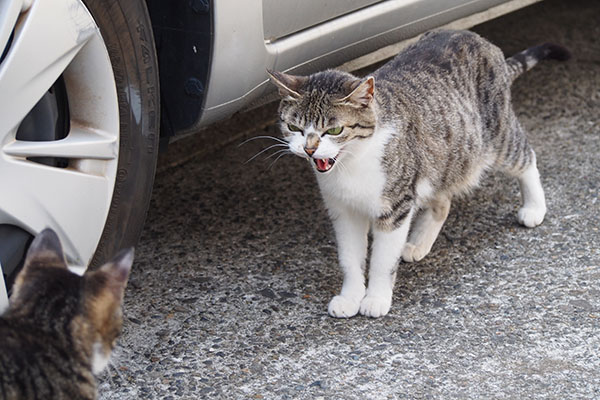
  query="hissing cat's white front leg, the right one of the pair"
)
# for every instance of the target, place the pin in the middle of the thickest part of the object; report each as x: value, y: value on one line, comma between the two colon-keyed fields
x: 386, y: 251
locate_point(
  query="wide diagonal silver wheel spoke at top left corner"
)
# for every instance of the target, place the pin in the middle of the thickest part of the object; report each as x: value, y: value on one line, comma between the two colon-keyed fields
x: 47, y: 38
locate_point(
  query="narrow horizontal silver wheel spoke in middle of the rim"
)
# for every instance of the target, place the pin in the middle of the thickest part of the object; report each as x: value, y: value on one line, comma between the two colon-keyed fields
x: 82, y: 142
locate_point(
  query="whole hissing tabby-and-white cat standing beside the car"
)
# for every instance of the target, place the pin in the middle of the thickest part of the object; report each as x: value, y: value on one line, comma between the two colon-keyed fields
x: 390, y: 151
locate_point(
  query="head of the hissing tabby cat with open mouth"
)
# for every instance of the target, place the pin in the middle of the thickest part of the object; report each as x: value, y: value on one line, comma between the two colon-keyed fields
x: 323, y: 115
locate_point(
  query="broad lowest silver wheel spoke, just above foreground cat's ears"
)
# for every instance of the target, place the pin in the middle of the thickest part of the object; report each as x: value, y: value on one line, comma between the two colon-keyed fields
x: 36, y: 196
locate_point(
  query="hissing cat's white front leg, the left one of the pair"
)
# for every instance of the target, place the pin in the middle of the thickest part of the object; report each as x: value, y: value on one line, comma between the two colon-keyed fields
x: 351, y: 232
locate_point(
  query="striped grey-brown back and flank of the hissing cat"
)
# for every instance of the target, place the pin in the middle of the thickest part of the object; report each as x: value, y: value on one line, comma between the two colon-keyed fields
x: 445, y: 93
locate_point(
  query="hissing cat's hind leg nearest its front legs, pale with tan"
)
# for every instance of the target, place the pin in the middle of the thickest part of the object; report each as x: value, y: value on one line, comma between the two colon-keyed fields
x: 425, y: 229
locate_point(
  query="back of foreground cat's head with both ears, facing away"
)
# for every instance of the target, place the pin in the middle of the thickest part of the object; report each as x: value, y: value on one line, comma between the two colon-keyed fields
x: 83, y: 310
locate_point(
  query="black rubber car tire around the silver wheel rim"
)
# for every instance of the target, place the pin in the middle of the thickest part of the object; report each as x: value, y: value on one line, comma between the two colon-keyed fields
x: 127, y: 32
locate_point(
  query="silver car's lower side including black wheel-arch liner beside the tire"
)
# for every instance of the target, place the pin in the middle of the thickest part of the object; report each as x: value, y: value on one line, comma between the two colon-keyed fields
x: 300, y: 40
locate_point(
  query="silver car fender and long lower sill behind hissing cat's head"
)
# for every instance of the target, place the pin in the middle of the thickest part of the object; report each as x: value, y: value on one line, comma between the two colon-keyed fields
x: 241, y: 56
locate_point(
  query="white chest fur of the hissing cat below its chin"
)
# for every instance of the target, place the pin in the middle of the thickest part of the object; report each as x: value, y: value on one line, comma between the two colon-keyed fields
x: 357, y: 182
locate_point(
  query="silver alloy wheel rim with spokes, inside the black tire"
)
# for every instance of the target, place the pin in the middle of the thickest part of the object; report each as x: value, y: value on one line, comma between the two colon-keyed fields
x: 44, y: 42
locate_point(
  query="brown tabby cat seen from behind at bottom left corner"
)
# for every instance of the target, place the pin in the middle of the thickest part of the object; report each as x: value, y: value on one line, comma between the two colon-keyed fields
x: 60, y: 328
